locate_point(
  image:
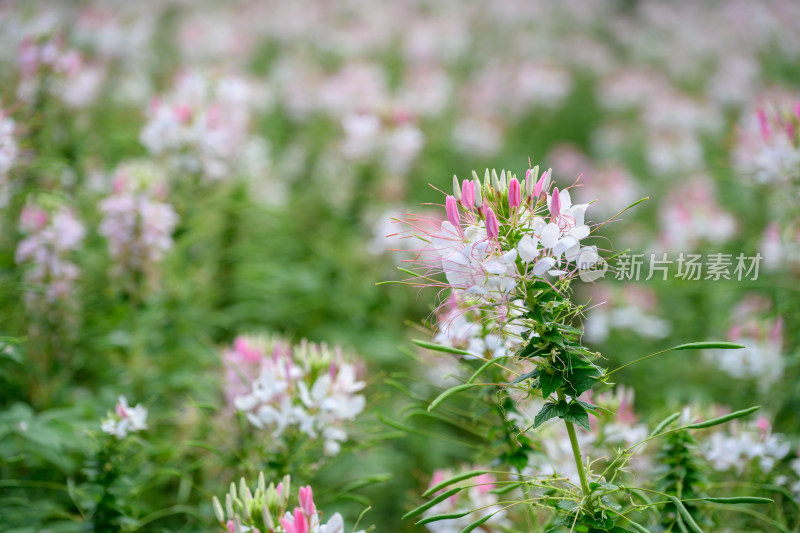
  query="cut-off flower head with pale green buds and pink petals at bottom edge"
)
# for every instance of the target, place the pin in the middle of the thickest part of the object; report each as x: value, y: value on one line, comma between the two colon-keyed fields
x: 266, y: 510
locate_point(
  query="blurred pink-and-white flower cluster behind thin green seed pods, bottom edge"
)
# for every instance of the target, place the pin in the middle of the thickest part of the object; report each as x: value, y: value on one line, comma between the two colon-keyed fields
x: 478, y: 496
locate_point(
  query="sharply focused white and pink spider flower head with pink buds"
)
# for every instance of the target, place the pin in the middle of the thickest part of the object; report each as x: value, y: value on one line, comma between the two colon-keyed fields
x: 501, y: 235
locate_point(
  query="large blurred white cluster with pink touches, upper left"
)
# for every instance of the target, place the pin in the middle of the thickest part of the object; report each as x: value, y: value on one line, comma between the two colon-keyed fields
x: 204, y: 125
